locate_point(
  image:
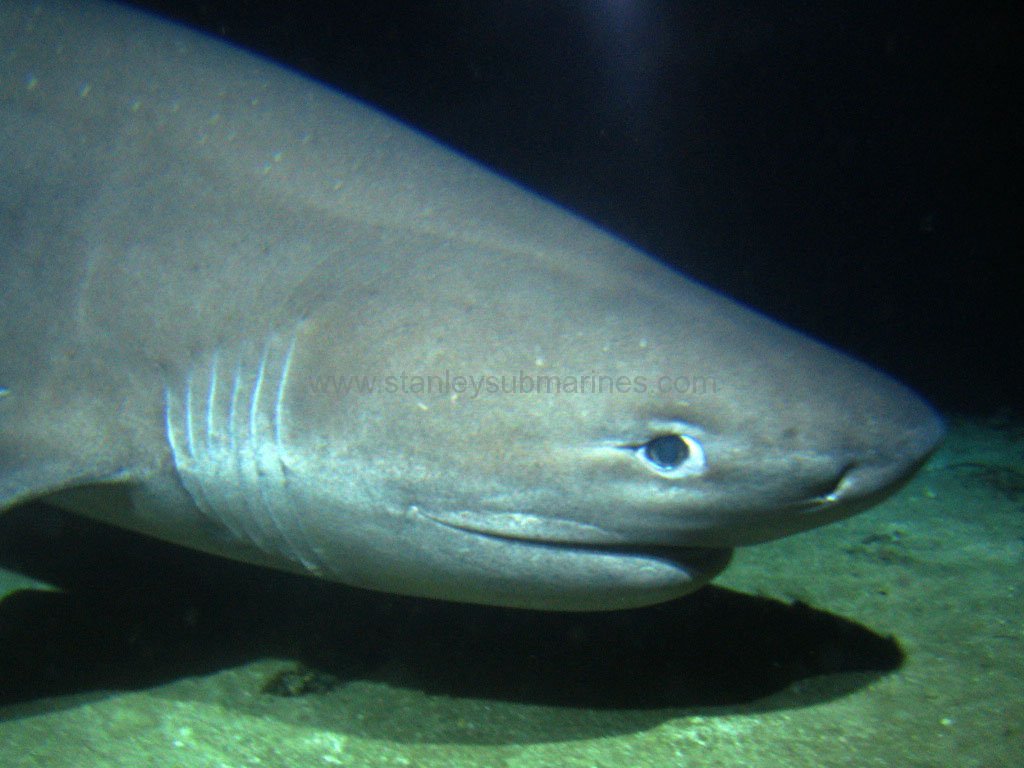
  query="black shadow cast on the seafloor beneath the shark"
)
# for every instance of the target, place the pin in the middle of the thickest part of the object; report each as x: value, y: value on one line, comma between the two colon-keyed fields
x: 135, y: 614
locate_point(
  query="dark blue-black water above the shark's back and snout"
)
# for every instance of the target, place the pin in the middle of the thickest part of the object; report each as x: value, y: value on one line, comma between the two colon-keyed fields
x: 849, y: 168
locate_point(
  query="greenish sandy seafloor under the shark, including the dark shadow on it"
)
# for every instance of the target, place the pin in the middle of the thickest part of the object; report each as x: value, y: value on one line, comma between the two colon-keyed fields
x: 895, y: 638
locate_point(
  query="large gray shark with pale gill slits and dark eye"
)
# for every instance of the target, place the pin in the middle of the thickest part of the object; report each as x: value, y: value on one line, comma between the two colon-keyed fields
x: 207, y: 262
